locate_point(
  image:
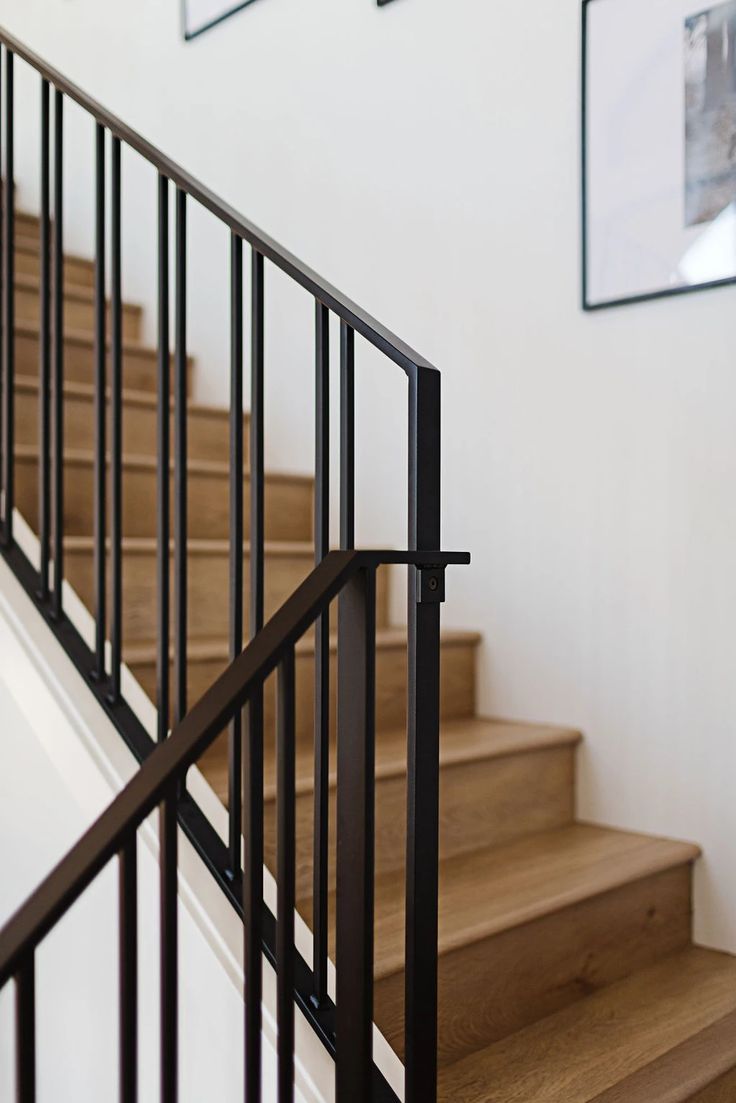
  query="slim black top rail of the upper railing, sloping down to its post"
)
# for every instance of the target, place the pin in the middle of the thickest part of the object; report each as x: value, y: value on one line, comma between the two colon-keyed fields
x: 339, y: 304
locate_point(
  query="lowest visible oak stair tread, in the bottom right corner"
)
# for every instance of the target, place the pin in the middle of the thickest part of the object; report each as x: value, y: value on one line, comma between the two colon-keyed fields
x: 577, y: 1055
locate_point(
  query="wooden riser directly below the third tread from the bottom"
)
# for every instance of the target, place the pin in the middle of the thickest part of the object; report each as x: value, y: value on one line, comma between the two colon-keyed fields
x: 494, y: 800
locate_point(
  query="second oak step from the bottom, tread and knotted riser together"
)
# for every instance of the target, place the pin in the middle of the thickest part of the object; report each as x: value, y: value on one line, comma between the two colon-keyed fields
x: 531, y: 927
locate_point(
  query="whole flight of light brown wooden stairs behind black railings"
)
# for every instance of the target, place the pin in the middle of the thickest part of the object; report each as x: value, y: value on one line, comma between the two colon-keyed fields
x: 567, y: 968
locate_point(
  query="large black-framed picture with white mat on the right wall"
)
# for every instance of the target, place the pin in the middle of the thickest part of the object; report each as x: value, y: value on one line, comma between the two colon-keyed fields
x: 659, y: 148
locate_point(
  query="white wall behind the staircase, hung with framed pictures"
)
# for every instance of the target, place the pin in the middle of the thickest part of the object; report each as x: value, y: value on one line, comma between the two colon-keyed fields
x: 424, y: 157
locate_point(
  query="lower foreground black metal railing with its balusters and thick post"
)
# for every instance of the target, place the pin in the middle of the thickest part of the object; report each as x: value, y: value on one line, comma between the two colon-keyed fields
x: 351, y: 577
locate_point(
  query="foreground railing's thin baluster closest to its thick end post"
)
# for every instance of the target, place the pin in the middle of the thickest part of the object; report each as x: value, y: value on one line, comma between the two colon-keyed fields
x: 286, y: 866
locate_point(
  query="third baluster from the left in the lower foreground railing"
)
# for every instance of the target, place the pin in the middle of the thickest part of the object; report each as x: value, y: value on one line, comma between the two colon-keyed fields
x: 169, y: 949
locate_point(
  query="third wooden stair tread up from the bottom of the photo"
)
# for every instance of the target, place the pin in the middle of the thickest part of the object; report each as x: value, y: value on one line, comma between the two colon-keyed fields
x: 466, y: 741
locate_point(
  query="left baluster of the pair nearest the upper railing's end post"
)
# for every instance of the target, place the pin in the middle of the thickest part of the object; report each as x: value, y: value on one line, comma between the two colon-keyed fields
x: 321, y: 884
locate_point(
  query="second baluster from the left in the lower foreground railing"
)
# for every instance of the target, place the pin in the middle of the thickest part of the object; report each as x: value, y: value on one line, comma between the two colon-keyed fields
x: 129, y: 970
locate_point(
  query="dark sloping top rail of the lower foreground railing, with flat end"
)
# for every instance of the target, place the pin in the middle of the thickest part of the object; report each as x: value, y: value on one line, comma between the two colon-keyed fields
x: 188, y: 742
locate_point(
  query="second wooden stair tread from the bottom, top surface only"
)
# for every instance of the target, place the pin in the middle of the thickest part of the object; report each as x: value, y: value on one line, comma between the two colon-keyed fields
x: 486, y: 892
